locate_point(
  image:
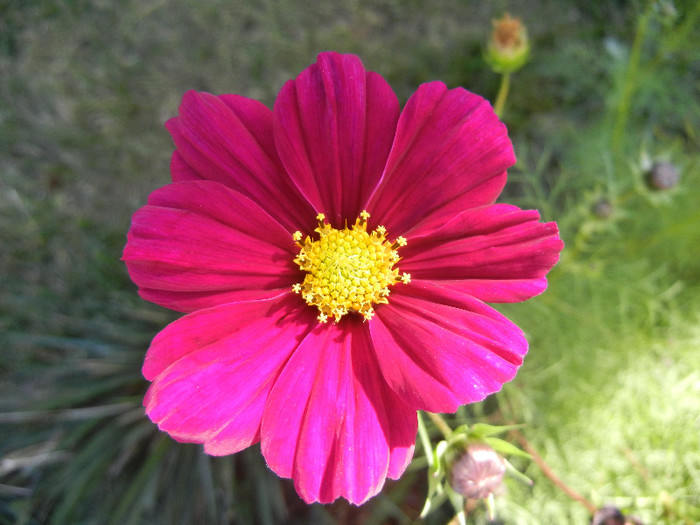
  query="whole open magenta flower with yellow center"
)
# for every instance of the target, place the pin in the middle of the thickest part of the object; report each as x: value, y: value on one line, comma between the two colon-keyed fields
x: 333, y: 256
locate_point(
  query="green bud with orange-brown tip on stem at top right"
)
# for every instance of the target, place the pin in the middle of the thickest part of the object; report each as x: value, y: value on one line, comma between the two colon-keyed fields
x: 509, y: 48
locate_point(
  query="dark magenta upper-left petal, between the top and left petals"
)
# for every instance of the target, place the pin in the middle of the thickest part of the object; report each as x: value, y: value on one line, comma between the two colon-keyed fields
x: 229, y: 139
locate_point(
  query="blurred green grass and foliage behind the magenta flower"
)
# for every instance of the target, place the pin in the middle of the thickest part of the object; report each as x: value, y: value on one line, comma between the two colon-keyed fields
x: 610, y: 391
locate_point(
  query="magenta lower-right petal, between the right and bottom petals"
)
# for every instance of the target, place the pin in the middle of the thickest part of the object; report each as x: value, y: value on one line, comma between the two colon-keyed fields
x: 439, y: 349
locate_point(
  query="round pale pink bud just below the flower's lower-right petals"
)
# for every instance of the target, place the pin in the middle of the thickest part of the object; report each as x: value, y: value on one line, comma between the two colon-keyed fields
x: 477, y: 472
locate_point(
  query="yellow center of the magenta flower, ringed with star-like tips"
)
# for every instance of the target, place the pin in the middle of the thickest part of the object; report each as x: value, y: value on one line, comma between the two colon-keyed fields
x: 347, y: 270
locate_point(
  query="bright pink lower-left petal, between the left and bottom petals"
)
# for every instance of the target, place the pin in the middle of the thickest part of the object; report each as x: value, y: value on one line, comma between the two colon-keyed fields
x: 212, y: 370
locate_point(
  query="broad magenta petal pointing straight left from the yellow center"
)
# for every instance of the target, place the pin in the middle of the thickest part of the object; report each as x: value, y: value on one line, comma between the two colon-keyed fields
x: 198, y: 244
